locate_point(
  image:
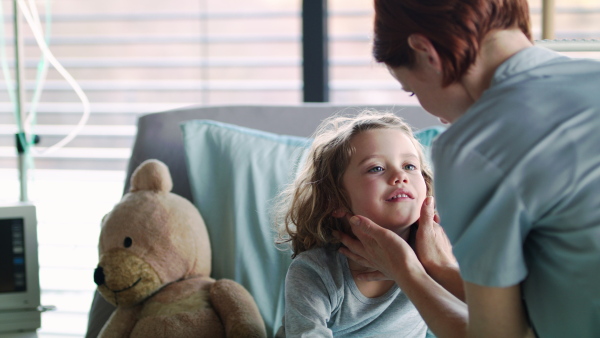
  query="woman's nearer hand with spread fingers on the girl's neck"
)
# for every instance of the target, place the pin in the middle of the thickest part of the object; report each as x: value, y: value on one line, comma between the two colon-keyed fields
x: 380, y: 249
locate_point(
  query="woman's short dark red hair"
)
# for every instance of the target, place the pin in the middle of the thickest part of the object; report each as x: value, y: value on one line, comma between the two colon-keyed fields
x: 455, y: 28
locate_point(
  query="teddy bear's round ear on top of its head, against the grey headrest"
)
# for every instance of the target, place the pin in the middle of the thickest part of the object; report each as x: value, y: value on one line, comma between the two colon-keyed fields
x: 151, y: 175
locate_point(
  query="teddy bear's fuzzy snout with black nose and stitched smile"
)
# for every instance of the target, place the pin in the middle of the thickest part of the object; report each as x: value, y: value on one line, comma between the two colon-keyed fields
x: 125, y: 279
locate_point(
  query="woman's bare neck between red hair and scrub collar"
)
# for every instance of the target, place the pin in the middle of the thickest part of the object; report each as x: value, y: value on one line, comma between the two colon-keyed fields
x: 497, y: 47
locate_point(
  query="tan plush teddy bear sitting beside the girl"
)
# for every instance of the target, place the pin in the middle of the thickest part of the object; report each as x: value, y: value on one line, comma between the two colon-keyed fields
x: 155, y: 264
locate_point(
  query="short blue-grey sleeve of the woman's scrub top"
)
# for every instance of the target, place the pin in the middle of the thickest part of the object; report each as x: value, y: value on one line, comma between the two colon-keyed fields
x: 483, y: 216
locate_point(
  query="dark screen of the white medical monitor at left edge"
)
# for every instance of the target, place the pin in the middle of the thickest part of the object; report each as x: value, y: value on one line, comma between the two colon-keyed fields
x: 12, y: 255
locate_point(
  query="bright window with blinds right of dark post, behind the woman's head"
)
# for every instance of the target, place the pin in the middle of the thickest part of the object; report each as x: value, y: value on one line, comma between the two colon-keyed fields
x: 354, y: 76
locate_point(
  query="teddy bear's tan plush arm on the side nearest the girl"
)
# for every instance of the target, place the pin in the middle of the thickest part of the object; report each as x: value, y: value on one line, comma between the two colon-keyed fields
x: 237, y: 309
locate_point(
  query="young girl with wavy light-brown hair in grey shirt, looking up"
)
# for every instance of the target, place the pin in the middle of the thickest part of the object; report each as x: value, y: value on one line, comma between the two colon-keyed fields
x: 370, y: 165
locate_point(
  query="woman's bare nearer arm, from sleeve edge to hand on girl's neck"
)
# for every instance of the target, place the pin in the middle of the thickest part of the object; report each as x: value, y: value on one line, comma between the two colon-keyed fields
x: 491, y: 312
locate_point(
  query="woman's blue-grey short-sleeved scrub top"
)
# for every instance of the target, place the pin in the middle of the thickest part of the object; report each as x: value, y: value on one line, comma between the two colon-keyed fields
x: 517, y: 180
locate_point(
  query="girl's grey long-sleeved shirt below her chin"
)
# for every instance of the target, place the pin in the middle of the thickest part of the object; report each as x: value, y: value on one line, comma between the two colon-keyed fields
x: 322, y: 300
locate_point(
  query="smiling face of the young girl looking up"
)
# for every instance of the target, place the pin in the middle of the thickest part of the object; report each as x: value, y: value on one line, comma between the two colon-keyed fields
x: 384, y: 180
